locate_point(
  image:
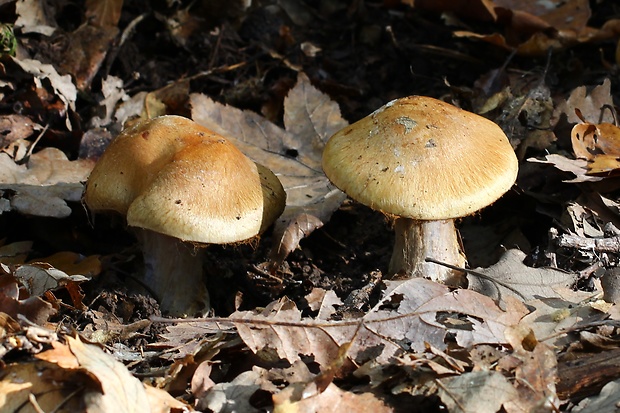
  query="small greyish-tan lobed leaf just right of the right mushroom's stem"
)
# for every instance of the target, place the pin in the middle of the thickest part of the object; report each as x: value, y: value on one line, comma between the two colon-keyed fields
x: 510, y: 277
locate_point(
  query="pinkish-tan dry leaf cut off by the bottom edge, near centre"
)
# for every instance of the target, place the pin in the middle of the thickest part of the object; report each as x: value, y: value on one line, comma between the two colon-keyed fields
x: 332, y: 399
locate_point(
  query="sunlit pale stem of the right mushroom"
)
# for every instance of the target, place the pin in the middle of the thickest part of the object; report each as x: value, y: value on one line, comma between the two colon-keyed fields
x: 416, y: 240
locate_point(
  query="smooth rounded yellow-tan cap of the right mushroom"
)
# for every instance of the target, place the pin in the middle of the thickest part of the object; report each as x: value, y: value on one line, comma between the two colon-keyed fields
x: 421, y: 158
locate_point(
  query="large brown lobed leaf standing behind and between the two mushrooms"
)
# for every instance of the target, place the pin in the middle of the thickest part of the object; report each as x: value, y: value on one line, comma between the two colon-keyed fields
x: 293, y: 154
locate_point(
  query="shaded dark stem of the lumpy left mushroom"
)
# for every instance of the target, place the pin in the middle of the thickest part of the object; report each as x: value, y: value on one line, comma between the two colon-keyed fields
x: 174, y: 273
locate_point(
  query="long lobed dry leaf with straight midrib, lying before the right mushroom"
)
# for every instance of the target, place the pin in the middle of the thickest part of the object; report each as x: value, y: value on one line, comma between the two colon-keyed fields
x: 413, y: 314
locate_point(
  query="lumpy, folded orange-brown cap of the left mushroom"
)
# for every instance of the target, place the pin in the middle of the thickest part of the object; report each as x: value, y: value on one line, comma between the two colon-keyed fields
x: 176, y: 177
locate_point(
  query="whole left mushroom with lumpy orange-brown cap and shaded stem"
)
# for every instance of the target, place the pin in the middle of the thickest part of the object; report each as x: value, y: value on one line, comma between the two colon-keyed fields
x: 182, y: 186
